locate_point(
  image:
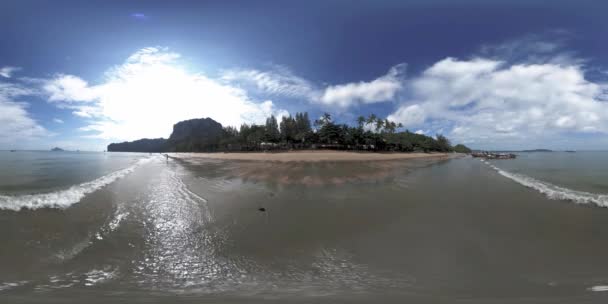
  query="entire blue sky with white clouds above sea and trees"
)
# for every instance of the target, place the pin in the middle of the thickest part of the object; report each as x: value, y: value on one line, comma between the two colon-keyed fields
x: 489, y: 74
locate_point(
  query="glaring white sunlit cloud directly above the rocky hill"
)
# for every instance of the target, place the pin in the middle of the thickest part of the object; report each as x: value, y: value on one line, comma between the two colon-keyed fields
x: 148, y: 93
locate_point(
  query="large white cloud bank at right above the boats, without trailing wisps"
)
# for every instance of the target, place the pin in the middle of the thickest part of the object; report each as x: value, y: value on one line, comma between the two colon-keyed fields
x: 488, y: 101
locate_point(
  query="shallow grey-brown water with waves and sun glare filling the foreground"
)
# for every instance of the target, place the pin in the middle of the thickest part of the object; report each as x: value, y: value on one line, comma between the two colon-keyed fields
x: 135, y: 228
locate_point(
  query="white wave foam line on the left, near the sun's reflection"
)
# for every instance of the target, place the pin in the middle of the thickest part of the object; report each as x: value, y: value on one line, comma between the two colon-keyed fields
x: 63, y: 198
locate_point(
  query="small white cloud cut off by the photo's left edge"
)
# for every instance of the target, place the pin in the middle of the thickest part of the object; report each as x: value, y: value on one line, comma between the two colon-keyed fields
x: 16, y: 124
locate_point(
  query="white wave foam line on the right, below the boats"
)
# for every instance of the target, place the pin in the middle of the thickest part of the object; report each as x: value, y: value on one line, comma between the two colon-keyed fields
x: 555, y: 192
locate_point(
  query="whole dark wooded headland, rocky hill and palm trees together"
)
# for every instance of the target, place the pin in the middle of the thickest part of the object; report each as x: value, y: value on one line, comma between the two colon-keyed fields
x: 293, y: 132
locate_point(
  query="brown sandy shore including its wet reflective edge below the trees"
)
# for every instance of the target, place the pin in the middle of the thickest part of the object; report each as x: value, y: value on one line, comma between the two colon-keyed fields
x: 304, y: 167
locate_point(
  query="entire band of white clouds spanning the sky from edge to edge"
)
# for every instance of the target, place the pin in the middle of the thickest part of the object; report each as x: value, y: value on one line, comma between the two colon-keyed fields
x: 485, y: 101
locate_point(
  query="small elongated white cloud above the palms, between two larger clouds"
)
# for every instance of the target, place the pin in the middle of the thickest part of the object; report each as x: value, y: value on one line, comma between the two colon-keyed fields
x: 382, y: 89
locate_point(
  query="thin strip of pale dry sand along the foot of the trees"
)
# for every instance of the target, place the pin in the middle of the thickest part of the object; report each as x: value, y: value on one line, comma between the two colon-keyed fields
x: 310, y: 156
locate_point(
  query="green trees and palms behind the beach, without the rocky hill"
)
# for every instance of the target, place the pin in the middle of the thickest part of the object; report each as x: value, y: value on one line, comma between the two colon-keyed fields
x: 297, y: 132
